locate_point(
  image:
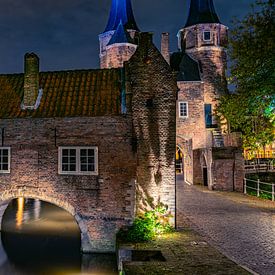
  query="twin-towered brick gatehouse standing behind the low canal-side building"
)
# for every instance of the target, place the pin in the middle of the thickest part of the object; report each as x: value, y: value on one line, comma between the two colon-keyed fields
x: 200, y: 65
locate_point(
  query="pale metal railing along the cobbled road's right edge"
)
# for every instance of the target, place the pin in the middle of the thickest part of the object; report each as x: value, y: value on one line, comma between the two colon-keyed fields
x: 261, y: 189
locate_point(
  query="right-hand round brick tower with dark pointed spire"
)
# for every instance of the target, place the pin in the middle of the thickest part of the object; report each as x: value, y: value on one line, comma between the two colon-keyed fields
x: 204, y: 38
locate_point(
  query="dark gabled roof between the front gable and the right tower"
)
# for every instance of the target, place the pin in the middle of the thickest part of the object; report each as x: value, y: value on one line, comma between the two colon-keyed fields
x: 187, y: 67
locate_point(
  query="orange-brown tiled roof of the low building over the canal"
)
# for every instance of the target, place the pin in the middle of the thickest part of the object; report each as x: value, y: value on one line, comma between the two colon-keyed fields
x: 65, y: 94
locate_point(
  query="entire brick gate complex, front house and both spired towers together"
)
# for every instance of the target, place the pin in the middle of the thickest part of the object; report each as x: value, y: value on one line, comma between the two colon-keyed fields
x: 101, y: 143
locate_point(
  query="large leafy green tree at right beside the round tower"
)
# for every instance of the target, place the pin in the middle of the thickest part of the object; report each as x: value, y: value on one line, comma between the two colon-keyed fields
x: 251, y: 108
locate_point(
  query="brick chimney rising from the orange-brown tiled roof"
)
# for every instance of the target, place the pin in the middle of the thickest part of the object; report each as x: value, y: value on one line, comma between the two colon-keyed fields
x: 31, y: 80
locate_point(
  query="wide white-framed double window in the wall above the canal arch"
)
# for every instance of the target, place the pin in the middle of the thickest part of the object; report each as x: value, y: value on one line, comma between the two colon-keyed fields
x: 80, y: 160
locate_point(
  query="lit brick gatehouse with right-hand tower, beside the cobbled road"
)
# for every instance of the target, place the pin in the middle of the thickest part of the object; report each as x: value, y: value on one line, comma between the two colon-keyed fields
x: 205, y: 155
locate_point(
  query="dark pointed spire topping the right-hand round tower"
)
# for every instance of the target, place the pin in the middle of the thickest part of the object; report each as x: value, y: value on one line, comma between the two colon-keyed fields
x: 201, y: 11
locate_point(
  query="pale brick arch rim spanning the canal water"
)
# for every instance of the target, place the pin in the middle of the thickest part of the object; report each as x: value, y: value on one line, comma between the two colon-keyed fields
x: 7, y: 197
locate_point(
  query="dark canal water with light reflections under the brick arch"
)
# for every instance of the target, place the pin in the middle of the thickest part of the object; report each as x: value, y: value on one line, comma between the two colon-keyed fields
x: 41, y: 238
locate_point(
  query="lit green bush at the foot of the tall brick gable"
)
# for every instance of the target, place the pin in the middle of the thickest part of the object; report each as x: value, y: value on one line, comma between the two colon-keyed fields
x: 147, y: 226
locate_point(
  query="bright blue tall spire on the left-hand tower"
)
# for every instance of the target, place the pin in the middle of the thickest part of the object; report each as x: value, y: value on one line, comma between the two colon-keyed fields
x: 121, y: 10
